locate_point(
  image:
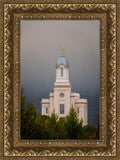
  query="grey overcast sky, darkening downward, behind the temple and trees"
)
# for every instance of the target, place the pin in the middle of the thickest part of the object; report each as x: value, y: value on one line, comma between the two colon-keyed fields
x: 40, y: 49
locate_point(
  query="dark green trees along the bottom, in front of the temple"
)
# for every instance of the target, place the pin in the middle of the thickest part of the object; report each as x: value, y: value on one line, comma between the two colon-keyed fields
x: 37, y: 126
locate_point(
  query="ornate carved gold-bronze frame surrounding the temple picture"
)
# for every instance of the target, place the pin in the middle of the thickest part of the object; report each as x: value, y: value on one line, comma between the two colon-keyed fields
x: 107, y: 147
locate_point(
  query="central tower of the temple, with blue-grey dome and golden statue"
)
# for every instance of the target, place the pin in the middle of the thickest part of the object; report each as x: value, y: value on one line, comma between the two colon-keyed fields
x: 62, y: 87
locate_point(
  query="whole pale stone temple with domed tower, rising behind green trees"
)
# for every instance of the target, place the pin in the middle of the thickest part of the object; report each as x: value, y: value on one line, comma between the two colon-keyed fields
x: 62, y: 99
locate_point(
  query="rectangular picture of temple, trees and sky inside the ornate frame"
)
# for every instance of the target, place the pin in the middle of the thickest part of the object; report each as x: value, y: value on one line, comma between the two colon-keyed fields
x: 64, y: 76
